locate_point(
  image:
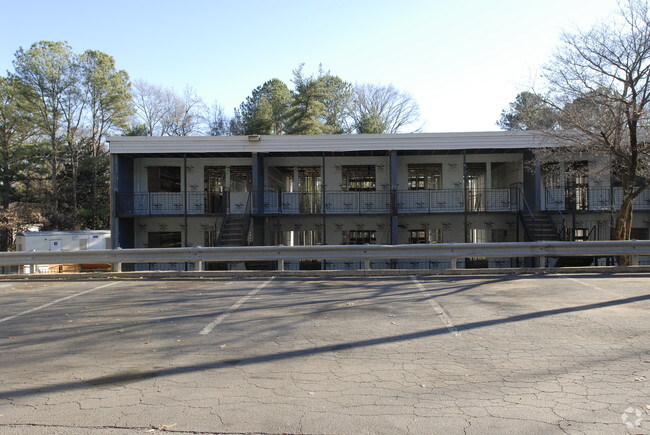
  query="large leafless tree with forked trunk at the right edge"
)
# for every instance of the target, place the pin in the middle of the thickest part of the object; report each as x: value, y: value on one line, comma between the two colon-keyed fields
x: 599, y: 82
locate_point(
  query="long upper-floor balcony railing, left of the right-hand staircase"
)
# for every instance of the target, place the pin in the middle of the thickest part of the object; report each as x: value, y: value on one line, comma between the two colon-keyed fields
x: 312, y: 203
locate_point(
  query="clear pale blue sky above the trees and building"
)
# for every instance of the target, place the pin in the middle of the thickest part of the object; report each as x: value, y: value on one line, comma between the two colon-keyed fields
x: 462, y: 60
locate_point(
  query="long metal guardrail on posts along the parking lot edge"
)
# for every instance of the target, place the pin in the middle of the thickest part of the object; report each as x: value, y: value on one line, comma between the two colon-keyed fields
x: 365, y: 253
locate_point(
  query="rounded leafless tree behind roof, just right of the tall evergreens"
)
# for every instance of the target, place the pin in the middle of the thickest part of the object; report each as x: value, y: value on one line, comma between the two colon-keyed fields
x: 382, y: 109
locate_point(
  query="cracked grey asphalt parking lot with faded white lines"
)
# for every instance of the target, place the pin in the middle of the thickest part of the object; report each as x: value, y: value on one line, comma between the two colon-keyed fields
x: 542, y: 354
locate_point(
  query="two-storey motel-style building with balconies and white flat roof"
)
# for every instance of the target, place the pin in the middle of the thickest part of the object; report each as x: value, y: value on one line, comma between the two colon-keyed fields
x: 356, y: 189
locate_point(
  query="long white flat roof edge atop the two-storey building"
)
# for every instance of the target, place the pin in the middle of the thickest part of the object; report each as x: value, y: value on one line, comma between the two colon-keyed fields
x: 493, y: 140
